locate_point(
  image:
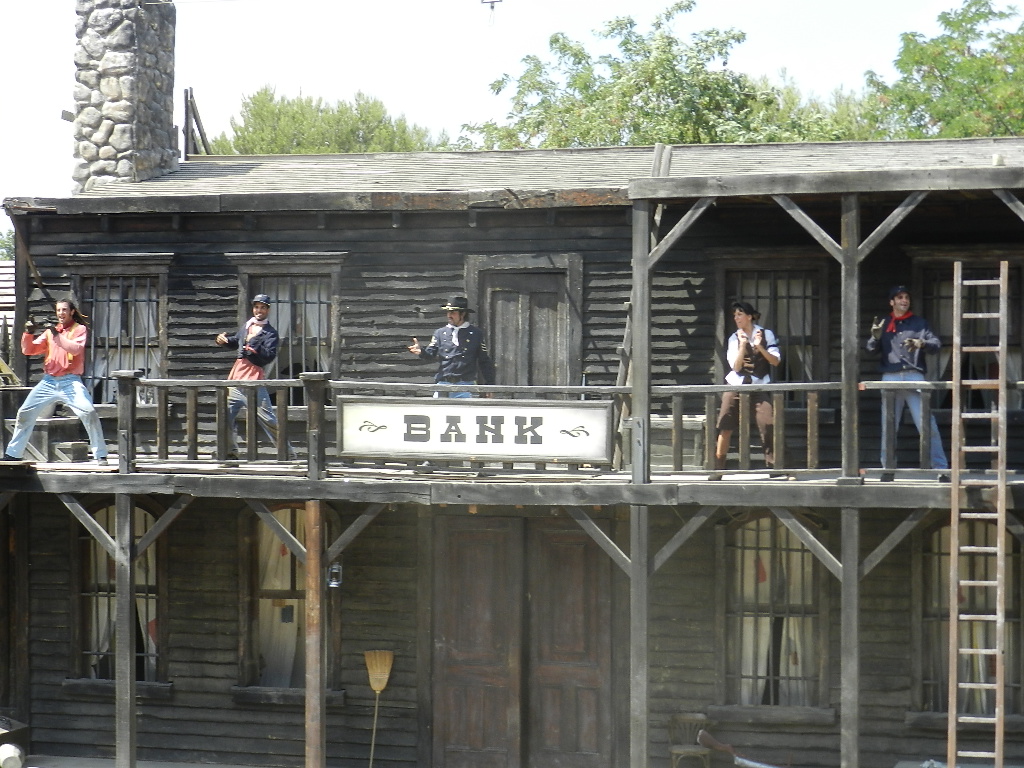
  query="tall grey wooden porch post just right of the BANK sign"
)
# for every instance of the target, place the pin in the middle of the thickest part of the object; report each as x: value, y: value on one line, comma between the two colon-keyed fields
x: 641, y: 438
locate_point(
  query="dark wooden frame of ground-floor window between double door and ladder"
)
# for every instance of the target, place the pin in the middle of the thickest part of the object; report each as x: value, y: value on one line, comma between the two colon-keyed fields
x: 818, y: 710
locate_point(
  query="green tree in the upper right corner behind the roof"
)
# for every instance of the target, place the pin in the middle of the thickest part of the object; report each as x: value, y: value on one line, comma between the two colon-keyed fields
x: 968, y: 81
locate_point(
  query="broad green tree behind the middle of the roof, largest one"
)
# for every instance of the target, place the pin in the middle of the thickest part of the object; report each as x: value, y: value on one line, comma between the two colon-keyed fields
x: 657, y: 88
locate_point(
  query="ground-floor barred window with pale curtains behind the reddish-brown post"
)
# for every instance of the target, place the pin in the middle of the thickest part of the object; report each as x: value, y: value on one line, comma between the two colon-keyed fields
x: 275, y: 649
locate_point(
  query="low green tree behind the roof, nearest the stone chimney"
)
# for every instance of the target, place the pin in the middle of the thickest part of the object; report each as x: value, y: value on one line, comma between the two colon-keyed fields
x: 273, y: 125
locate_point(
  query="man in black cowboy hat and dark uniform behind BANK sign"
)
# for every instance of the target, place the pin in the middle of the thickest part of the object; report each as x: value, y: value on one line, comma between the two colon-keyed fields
x: 460, y: 350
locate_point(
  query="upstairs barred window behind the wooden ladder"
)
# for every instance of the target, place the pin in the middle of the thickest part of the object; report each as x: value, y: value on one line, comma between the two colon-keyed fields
x: 936, y: 305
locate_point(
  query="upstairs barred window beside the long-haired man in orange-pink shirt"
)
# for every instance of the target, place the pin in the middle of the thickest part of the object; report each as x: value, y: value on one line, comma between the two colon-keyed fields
x: 125, y: 331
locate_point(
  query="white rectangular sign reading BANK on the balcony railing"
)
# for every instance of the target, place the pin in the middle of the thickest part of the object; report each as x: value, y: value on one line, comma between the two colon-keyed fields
x: 476, y: 430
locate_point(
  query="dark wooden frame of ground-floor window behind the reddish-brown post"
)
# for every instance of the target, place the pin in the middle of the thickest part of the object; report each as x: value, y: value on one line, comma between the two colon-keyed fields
x: 248, y: 688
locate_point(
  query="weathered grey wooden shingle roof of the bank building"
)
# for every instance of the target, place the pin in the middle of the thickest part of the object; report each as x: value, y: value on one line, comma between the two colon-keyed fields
x: 553, y: 178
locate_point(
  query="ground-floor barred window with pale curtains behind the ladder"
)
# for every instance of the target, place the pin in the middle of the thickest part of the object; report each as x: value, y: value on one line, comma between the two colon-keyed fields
x: 934, y: 618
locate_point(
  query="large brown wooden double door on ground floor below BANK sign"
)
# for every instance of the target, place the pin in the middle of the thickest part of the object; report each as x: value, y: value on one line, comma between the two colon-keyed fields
x: 523, y: 669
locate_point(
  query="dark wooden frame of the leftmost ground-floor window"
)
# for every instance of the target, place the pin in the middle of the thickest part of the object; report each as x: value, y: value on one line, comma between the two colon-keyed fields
x: 82, y: 540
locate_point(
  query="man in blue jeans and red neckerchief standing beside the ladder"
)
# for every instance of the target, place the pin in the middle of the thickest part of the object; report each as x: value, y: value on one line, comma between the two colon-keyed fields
x: 900, y: 339
